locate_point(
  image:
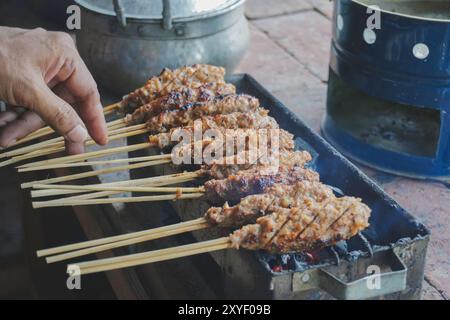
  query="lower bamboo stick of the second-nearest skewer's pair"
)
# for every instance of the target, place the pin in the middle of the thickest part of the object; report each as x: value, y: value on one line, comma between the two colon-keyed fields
x: 119, y: 244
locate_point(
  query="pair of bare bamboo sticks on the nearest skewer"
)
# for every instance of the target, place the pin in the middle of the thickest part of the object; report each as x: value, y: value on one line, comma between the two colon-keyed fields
x: 151, y: 257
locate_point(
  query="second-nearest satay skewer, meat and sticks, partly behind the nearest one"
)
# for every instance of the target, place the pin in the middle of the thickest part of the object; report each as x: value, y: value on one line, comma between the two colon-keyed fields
x: 307, y: 196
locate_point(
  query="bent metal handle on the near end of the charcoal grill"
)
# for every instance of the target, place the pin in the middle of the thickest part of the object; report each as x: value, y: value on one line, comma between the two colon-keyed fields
x: 371, y: 286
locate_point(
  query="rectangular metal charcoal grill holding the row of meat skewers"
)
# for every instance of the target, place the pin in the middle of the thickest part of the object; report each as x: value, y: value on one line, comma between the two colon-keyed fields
x: 395, y: 242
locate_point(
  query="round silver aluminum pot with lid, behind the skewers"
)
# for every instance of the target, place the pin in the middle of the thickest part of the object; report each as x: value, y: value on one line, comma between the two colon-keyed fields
x: 126, y: 42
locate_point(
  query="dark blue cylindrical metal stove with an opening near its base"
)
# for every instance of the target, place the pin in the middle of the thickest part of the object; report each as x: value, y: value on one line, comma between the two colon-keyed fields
x: 389, y: 86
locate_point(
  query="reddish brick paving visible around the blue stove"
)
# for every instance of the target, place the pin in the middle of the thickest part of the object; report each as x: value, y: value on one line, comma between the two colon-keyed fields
x: 289, y: 54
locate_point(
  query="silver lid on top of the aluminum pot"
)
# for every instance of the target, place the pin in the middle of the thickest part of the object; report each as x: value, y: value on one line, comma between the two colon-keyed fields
x: 152, y: 9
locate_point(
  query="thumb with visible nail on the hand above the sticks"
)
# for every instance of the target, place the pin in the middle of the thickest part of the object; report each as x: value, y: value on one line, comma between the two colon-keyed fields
x: 62, y: 118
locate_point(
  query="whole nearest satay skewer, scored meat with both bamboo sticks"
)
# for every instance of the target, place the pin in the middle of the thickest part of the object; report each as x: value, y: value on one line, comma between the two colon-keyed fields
x: 282, y: 231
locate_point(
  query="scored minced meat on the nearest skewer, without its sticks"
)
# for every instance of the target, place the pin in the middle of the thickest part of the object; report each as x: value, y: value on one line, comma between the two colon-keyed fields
x: 304, y: 229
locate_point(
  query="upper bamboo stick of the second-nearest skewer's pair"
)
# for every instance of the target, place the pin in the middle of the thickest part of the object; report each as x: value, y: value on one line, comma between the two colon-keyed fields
x: 127, y: 236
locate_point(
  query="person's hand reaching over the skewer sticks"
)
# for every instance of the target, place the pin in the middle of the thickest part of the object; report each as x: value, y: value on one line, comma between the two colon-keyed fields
x: 43, y: 72
